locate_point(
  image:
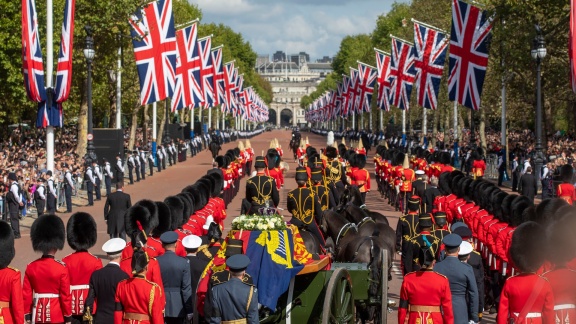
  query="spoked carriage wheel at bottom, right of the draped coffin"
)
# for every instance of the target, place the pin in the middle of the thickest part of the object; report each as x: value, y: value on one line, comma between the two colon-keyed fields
x: 339, y: 305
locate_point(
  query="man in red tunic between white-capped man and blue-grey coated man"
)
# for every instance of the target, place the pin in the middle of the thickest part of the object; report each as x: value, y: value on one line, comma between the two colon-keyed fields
x: 137, y: 299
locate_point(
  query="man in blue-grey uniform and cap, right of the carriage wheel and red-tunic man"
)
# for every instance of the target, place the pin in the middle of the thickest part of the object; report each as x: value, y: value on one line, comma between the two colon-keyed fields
x: 462, y: 281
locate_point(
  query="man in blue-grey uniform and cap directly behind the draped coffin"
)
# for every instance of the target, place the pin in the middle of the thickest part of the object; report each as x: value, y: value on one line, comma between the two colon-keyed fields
x: 235, y: 300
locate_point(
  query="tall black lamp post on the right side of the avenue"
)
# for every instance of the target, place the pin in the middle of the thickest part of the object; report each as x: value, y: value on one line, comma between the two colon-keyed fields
x: 538, y: 53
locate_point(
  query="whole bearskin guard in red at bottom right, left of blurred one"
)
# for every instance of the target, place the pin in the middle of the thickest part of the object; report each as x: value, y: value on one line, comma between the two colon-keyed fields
x: 527, y: 297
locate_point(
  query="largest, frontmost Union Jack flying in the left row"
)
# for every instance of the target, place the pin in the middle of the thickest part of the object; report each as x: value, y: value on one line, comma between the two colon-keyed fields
x: 154, y: 40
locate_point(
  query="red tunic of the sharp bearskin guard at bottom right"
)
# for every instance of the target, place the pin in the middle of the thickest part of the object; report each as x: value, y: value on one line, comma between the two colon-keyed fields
x: 515, y: 295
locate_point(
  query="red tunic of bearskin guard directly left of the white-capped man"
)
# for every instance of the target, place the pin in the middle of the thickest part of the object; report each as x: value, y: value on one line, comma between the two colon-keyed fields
x: 80, y: 266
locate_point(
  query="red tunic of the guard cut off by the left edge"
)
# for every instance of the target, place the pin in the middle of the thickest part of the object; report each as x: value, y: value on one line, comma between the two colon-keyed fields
x: 11, y: 292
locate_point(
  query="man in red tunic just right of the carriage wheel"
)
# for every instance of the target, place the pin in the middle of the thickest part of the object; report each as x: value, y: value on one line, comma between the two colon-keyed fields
x: 425, y: 294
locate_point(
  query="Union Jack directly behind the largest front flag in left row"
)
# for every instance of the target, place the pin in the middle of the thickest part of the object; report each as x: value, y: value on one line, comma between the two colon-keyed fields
x: 188, y: 91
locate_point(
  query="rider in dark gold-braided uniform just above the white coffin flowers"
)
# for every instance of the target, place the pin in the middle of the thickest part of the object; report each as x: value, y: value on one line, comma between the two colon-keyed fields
x: 261, y: 190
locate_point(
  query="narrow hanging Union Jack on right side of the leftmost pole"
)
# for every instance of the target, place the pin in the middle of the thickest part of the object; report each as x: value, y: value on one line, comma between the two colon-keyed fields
x: 64, y: 70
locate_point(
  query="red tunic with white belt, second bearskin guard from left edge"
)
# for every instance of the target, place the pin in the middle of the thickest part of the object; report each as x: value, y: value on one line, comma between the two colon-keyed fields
x: 46, y: 291
